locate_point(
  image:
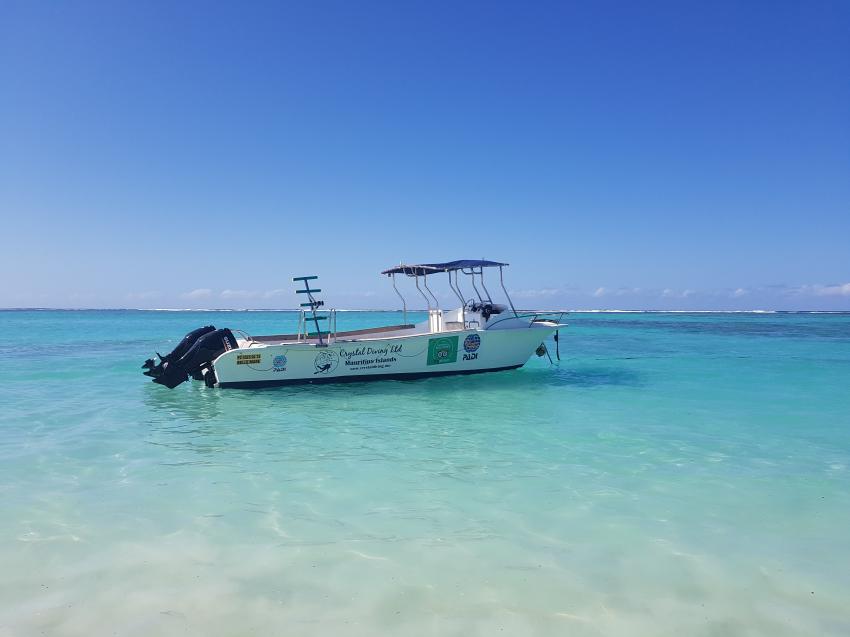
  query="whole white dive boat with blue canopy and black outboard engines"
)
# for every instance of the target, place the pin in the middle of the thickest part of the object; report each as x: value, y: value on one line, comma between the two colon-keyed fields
x: 479, y: 336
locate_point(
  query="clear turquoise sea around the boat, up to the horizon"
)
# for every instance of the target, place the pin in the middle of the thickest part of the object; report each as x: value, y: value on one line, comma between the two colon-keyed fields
x: 676, y: 474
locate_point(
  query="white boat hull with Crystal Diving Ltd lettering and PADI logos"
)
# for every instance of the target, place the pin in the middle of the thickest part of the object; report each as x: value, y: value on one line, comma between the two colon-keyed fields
x: 408, y: 357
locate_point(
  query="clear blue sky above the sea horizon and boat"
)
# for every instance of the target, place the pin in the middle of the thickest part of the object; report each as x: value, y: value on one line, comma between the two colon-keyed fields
x: 667, y: 155
